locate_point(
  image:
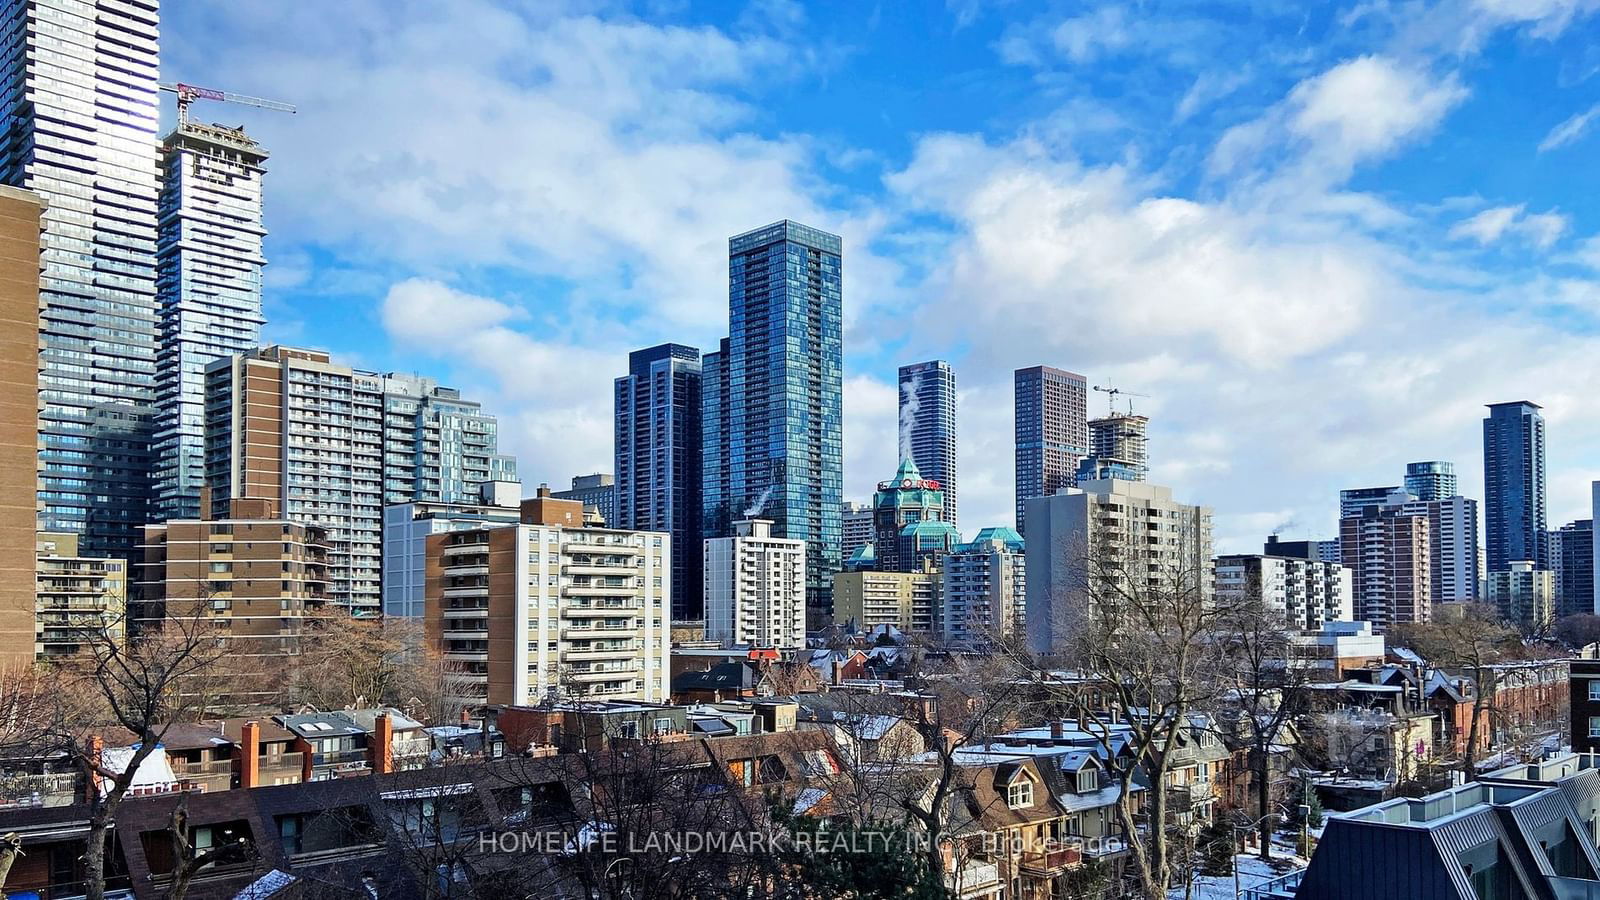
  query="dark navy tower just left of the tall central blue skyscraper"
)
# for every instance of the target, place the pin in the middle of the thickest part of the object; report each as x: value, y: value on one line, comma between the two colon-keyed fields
x: 658, y: 460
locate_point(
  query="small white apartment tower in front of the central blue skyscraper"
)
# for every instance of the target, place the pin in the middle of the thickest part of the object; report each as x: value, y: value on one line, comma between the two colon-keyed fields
x: 756, y: 589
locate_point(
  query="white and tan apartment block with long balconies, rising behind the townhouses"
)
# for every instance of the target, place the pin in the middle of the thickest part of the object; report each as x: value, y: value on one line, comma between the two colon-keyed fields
x: 550, y: 613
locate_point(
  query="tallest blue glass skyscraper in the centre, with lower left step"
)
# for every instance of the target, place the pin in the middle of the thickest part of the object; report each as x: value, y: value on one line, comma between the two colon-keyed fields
x: 774, y: 424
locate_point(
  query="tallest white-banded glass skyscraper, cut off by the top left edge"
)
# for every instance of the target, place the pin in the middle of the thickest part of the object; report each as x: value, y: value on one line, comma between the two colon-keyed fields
x: 81, y: 105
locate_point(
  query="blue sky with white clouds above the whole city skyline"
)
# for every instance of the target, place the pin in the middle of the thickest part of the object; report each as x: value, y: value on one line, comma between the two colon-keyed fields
x: 1321, y: 238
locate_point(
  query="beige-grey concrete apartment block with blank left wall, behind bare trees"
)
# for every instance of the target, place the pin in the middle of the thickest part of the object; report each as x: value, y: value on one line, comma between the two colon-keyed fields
x: 1137, y: 526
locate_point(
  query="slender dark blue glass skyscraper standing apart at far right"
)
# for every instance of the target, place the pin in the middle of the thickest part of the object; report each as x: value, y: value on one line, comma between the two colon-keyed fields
x: 1514, y: 513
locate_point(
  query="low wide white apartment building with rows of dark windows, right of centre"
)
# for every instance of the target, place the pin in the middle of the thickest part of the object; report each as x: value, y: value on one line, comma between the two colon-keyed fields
x: 1308, y: 592
